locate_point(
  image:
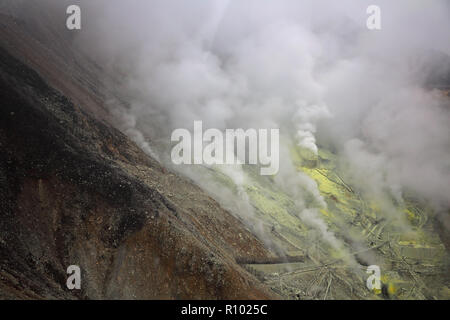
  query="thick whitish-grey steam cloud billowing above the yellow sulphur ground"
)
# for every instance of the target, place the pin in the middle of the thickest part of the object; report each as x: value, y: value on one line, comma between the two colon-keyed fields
x: 310, y: 68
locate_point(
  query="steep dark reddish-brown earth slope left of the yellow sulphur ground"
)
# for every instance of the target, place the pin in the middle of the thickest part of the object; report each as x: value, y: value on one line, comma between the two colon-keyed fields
x: 74, y: 190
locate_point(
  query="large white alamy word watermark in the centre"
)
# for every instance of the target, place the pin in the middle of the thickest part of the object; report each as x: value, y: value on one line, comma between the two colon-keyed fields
x: 213, y: 147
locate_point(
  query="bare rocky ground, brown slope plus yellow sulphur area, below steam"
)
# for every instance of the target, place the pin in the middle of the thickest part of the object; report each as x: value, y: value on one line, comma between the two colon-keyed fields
x: 74, y: 190
